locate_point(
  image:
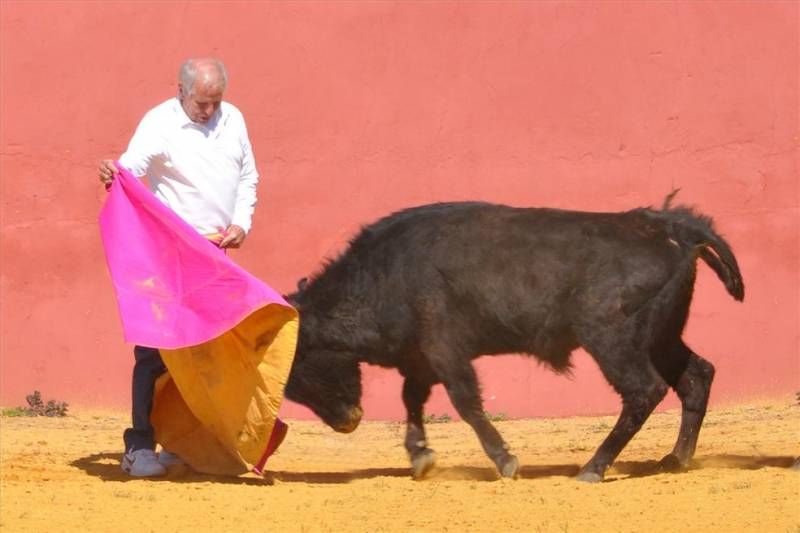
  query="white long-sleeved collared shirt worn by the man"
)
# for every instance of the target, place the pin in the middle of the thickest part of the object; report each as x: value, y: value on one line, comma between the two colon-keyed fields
x: 206, y: 173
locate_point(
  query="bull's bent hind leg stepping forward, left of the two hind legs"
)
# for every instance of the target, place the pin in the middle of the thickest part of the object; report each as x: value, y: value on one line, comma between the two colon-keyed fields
x: 641, y: 388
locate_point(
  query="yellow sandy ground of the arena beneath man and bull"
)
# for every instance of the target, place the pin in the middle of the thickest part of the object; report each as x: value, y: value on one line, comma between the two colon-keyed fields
x: 62, y: 474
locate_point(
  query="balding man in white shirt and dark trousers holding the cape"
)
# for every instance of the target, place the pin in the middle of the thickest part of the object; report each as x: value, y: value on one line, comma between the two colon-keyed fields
x: 194, y: 152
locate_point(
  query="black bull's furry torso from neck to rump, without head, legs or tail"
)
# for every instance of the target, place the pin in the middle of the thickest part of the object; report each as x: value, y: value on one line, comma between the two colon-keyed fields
x: 519, y: 278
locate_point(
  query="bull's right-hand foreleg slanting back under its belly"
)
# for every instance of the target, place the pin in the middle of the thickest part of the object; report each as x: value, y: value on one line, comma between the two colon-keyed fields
x: 462, y: 387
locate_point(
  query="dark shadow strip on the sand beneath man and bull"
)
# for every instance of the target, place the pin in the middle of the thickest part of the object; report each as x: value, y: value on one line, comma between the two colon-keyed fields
x: 106, y: 467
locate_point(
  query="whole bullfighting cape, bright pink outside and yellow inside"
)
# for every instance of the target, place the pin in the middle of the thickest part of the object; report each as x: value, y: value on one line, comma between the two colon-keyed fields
x: 226, y: 338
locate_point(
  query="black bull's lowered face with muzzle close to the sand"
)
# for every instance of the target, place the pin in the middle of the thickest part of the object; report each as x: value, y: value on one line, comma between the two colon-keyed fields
x: 329, y: 383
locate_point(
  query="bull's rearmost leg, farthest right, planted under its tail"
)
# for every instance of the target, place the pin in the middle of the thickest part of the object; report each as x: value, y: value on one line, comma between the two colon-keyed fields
x: 693, y: 388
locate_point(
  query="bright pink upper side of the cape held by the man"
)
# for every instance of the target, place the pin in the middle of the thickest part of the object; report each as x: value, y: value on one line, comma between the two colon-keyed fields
x: 174, y: 288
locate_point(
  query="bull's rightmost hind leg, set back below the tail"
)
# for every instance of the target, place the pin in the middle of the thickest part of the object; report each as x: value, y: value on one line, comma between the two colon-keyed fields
x: 691, y: 376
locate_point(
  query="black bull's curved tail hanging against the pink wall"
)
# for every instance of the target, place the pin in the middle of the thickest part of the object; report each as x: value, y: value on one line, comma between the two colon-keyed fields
x: 696, y: 232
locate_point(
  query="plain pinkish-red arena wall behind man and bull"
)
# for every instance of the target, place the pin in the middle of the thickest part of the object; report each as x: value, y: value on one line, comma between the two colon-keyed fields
x: 358, y: 109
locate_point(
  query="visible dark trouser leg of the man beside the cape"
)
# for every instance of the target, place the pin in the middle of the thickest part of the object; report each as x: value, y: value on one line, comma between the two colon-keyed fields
x: 145, y: 372
